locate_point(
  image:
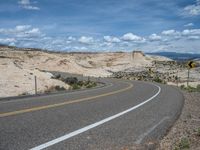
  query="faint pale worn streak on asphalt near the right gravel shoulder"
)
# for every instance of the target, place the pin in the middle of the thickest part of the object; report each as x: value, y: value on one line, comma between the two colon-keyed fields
x: 141, y: 137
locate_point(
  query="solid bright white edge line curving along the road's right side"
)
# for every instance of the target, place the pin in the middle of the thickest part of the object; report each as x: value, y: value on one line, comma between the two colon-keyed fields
x: 84, y: 129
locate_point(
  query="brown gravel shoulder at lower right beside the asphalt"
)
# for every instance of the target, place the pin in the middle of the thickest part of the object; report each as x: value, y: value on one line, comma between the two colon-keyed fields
x: 186, y: 126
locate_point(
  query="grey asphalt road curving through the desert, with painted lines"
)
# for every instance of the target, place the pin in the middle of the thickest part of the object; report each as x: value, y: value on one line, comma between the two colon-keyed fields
x: 118, y: 115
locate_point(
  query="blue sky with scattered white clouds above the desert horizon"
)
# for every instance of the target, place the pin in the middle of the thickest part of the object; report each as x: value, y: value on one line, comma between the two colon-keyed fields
x: 102, y: 25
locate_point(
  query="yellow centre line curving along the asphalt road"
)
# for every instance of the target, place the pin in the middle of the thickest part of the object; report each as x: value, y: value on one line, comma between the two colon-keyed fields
x: 6, y: 114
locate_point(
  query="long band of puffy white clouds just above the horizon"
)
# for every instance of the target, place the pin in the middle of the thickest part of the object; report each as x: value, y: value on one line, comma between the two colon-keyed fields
x: 28, y: 36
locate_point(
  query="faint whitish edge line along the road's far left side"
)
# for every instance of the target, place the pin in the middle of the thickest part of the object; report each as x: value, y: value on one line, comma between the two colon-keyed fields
x: 68, y: 93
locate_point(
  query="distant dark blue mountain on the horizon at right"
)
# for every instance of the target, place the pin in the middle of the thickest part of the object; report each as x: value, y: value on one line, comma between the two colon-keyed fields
x: 177, y: 56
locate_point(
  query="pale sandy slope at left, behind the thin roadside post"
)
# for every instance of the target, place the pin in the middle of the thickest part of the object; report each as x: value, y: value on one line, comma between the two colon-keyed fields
x: 16, y: 80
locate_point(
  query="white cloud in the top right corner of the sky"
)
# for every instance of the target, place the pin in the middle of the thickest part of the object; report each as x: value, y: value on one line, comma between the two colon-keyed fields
x: 191, y: 10
